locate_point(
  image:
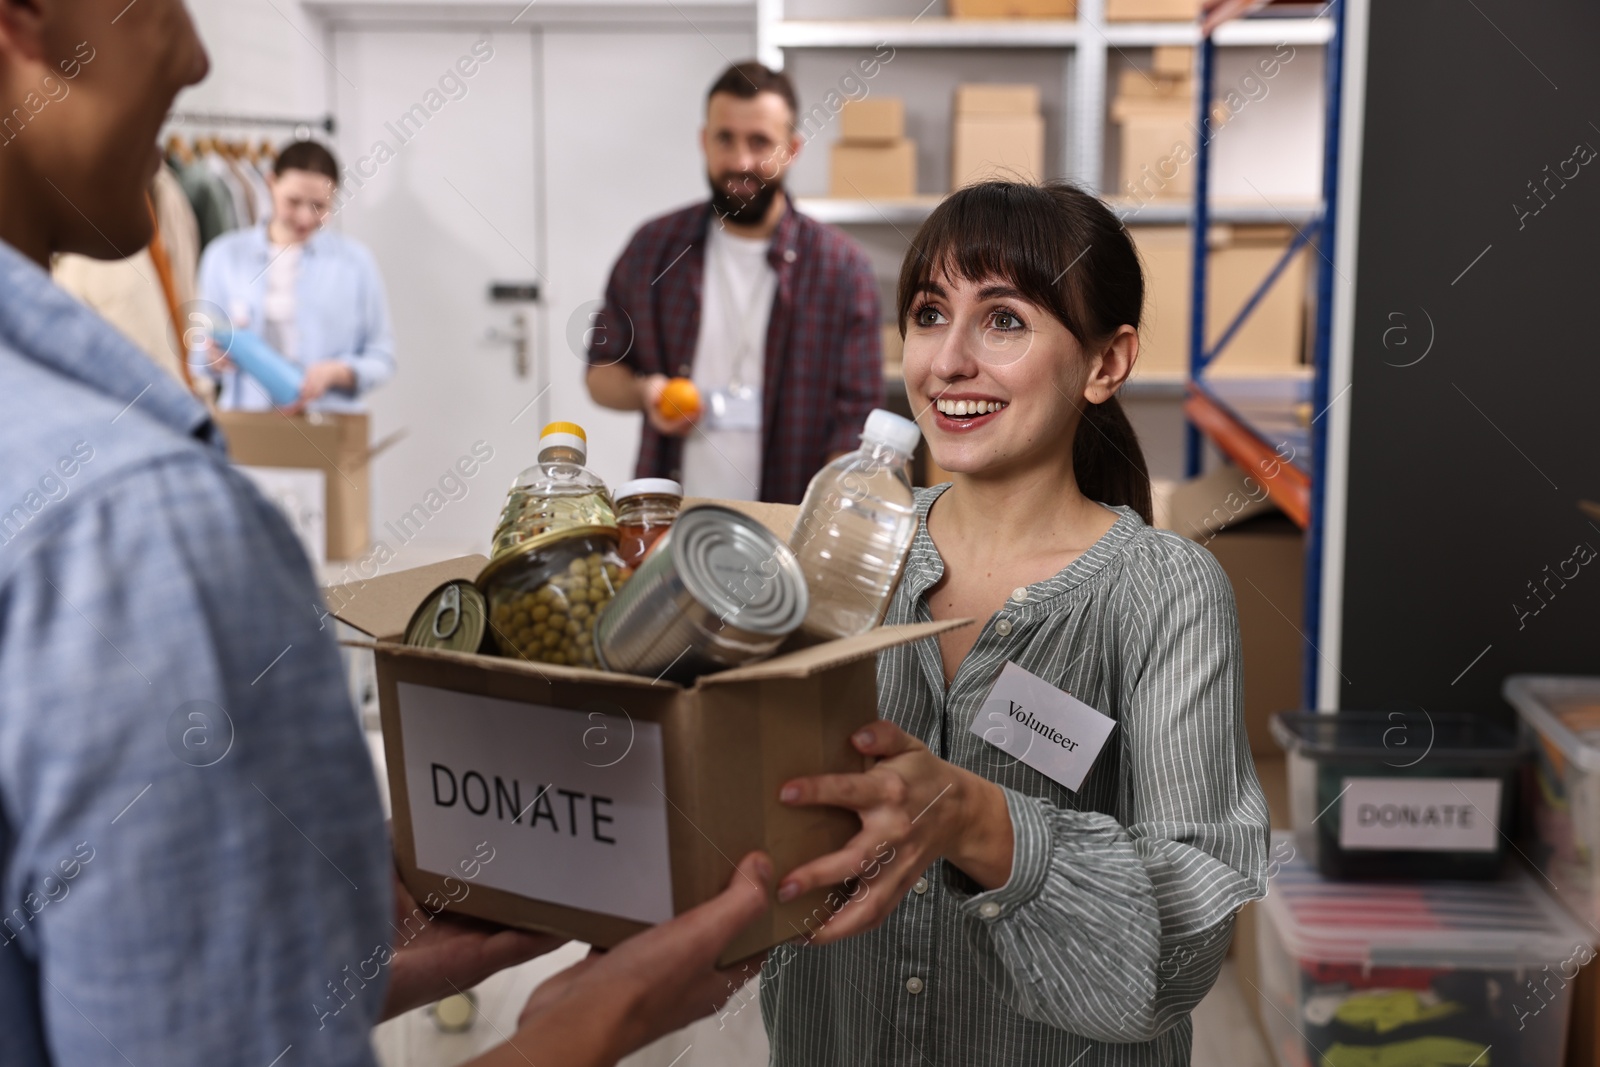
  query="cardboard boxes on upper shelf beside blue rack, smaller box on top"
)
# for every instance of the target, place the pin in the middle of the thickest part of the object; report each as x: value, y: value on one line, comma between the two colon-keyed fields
x: 1154, y: 111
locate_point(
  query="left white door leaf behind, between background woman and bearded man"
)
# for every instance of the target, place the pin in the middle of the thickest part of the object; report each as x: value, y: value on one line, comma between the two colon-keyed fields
x: 439, y: 137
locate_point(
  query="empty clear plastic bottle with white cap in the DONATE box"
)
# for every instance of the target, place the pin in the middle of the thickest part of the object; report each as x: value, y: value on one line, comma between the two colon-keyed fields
x: 855, y: 530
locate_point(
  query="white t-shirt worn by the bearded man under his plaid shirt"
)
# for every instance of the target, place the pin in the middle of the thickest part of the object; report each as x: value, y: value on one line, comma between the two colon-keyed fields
x: 737, y: 303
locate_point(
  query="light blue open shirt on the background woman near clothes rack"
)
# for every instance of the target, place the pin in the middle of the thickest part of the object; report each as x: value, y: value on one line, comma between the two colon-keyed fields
x: 342, y: 313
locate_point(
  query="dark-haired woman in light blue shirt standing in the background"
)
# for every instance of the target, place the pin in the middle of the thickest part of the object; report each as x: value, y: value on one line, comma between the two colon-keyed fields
x: 313, y: 295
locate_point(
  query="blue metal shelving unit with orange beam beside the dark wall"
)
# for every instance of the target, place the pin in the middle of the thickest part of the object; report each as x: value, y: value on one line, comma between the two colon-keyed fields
x: 1257, y: 423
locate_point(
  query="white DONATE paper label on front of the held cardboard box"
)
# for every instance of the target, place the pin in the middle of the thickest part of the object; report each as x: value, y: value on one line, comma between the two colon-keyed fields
x: 570, y: 801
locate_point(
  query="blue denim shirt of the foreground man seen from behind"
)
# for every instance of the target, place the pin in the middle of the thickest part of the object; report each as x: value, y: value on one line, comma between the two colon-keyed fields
x: 194, y: 866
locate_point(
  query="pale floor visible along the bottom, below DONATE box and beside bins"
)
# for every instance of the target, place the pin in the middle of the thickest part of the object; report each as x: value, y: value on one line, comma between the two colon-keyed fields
x: 1225, y: 1033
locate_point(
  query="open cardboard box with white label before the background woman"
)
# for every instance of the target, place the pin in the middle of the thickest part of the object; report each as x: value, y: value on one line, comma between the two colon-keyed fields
x: 314, y: 470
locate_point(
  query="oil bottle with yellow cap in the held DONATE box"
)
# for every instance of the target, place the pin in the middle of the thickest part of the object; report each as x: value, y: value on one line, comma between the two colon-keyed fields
x: 554, y: 494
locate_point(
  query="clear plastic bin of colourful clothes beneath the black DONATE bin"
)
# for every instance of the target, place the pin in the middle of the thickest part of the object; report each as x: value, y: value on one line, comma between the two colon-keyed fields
x: 1361, y: 975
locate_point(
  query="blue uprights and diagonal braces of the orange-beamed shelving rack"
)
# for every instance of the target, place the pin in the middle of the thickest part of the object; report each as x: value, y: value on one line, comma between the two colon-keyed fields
x: 1319, y: 234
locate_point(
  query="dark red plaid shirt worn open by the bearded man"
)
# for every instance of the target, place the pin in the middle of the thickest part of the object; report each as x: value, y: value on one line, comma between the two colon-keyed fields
x: 825, y: 367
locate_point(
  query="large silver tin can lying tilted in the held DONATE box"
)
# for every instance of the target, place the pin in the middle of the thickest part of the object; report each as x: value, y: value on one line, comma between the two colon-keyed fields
x: 719, y: 591
